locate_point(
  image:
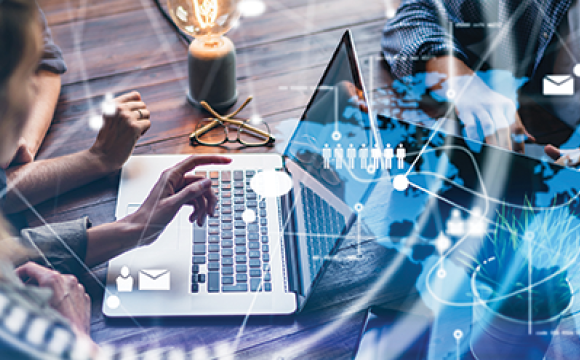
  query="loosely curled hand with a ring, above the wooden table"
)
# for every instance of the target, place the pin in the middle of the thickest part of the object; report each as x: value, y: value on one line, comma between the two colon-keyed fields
x: 121, y: 130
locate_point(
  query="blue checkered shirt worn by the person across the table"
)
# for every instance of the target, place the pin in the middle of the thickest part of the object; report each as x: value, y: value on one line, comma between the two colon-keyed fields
x: 516, y: 32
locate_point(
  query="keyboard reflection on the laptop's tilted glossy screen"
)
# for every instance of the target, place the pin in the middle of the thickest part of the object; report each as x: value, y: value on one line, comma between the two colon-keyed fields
x: 323, y: 227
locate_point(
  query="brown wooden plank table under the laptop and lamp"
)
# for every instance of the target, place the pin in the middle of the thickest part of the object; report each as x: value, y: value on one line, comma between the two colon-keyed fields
x: 119, y: 46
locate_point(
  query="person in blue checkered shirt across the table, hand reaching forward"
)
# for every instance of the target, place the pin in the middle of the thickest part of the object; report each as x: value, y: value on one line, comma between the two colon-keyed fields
x: 457, y: 38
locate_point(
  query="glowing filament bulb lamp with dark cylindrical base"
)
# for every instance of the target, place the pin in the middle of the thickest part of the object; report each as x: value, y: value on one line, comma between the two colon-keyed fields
x: 212, y: 59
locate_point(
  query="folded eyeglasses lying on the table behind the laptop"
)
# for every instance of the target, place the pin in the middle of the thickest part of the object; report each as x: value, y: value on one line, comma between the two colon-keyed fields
x: 216, y: 131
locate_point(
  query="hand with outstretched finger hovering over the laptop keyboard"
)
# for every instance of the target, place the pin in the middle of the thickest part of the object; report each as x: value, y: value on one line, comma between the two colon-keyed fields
x: 174, y: 189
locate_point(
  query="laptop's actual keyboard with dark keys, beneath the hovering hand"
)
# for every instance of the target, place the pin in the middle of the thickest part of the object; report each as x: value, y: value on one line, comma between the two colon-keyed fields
x: 236, y: 254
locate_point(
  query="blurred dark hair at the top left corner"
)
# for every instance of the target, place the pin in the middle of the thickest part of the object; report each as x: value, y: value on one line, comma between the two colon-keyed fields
x: 16, y: 17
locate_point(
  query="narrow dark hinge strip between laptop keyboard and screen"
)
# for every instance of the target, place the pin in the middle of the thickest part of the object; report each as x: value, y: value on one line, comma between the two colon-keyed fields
x: 288, y: 224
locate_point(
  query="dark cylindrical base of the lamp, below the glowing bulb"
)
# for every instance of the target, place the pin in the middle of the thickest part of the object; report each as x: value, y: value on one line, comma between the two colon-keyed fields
x: 212, y: 73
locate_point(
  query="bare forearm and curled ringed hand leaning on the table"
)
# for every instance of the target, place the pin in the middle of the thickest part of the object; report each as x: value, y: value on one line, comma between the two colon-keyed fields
x: 38, y: 181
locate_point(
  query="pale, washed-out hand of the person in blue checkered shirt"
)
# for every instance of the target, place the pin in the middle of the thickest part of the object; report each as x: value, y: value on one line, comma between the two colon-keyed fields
x: 485, y: 114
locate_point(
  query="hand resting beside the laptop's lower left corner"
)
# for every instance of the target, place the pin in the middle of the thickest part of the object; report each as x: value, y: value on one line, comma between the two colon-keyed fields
x: 68, y: 295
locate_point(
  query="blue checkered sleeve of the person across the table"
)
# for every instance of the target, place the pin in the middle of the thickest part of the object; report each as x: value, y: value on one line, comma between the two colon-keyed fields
x: 418, y: 32
